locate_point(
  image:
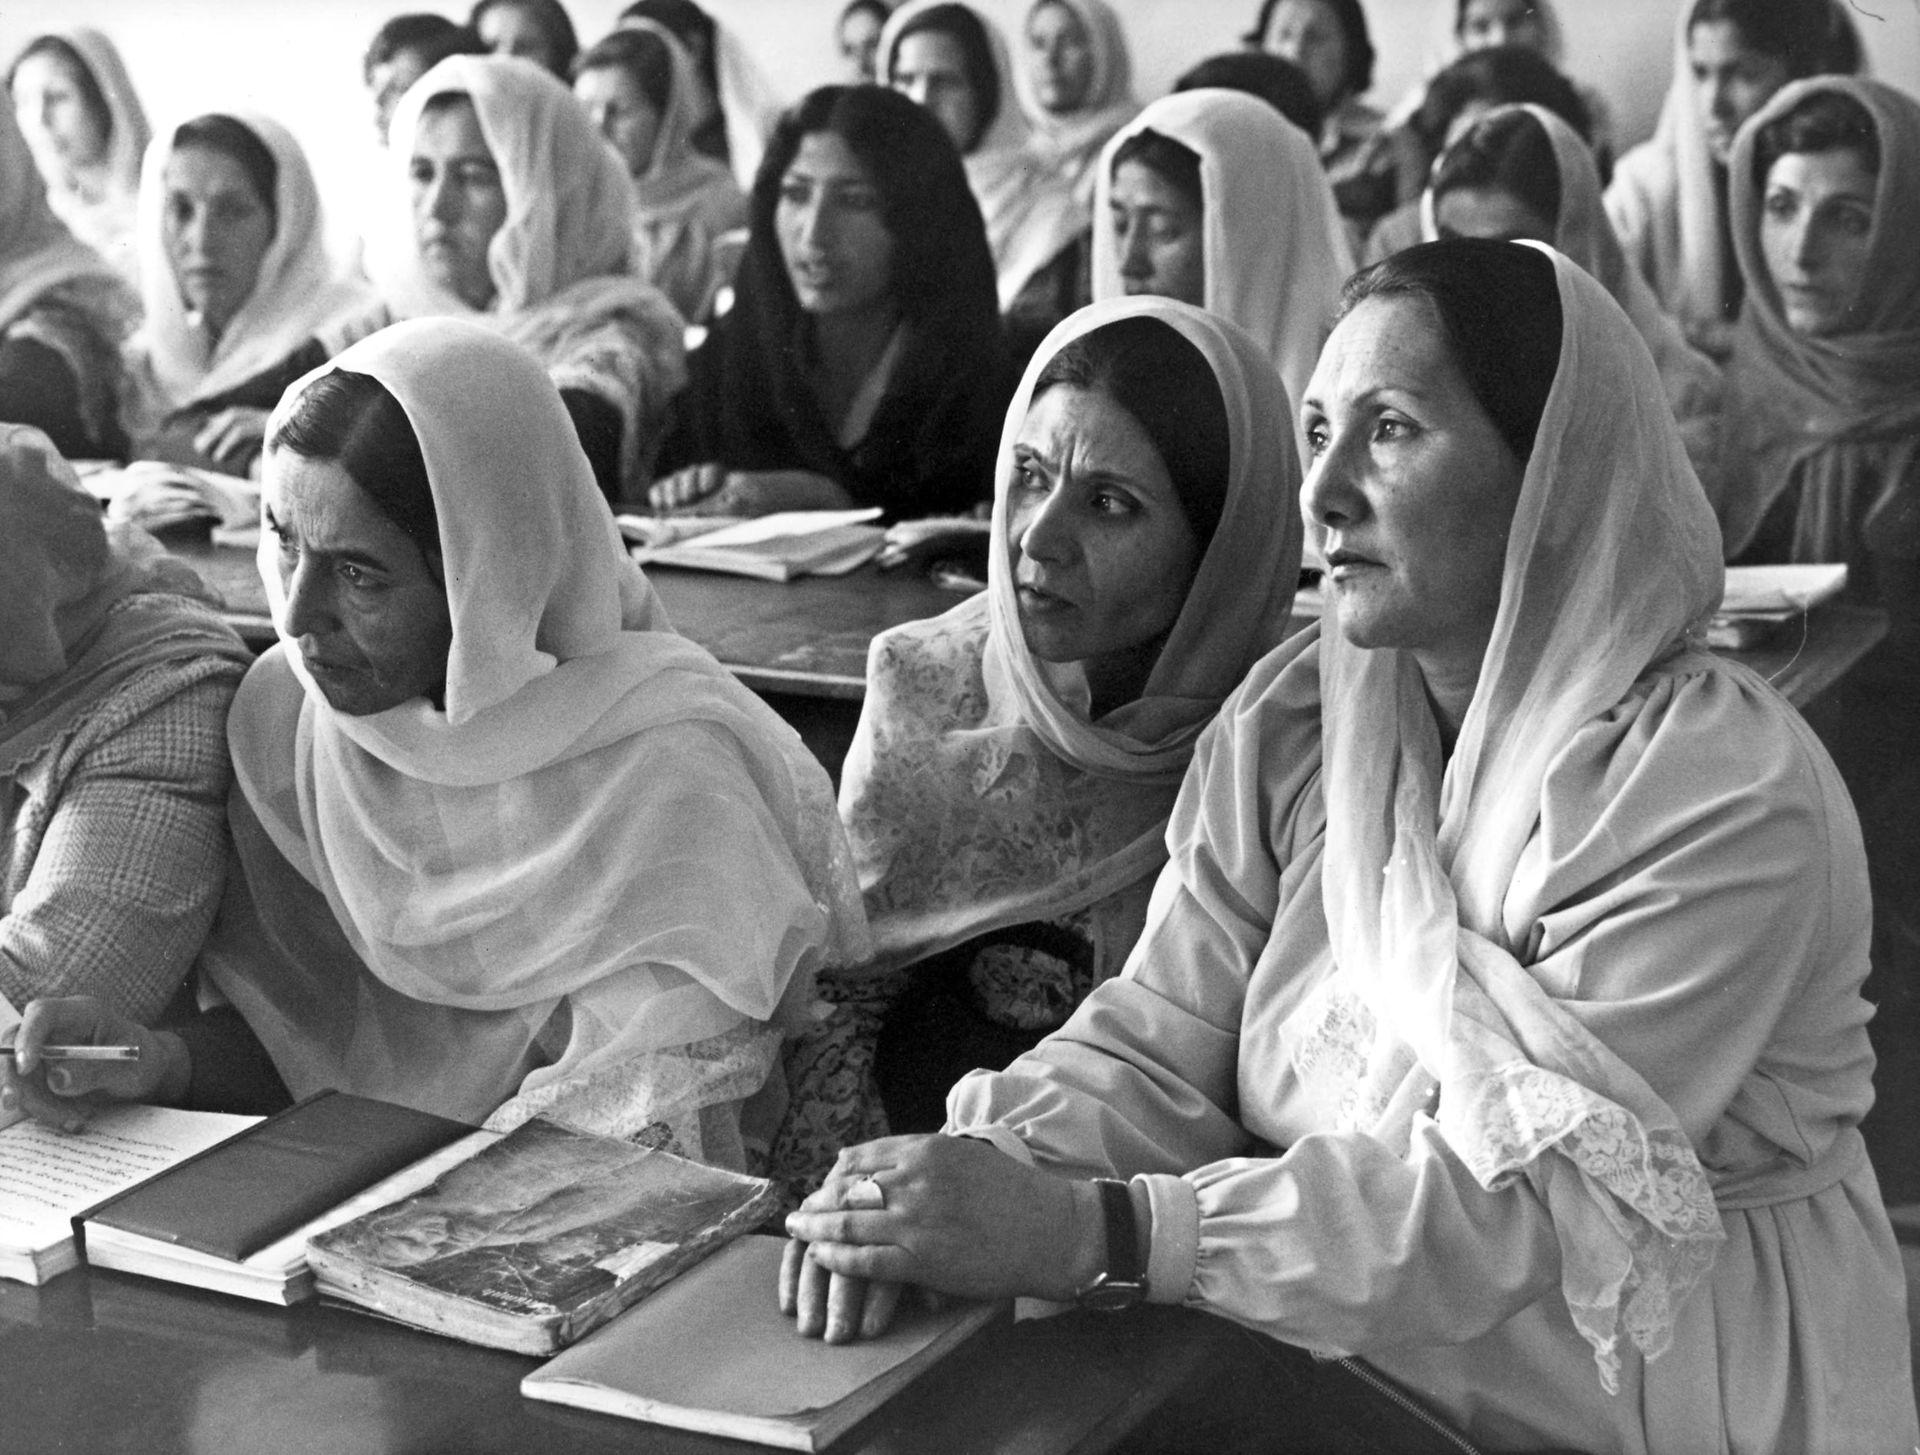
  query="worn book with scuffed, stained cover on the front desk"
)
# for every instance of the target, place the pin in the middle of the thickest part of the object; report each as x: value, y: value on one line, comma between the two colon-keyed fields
x: 539, y: 1239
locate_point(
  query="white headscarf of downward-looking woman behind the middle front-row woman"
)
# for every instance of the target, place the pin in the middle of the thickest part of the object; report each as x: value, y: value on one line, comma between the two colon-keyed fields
x: 1276, y: 247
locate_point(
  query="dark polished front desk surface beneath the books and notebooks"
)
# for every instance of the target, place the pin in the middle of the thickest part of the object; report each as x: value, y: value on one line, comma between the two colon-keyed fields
x: 105, y: 1362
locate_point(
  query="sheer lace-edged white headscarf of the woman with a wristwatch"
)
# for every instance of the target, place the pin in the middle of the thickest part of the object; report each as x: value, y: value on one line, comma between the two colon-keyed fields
x: 1614, y: 561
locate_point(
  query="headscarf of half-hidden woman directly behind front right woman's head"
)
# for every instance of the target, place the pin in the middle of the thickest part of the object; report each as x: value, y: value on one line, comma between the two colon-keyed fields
x: 1585, y: 233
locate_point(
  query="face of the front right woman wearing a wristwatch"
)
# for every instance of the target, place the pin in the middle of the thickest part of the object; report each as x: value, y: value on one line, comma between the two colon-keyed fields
x: 1410, y: 485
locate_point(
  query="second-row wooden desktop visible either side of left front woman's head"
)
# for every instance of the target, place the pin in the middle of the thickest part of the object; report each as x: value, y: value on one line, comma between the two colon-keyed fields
x: 804, y: 638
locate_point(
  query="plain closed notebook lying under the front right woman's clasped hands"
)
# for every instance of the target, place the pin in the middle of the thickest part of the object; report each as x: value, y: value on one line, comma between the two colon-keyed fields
x: 711, y: 1352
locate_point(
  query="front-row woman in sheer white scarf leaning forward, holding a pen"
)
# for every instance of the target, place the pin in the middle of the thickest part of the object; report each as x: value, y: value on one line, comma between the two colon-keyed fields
x: 504, y: 842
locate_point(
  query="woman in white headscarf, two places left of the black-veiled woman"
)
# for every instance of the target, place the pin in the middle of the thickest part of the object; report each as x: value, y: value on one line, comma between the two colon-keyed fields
x: 243, y: 295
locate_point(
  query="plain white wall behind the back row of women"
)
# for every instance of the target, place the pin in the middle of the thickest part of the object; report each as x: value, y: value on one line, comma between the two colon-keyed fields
x: 300, y: 59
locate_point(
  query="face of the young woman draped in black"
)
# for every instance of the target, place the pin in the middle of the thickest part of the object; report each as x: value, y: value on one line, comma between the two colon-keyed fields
x: 832, y: 231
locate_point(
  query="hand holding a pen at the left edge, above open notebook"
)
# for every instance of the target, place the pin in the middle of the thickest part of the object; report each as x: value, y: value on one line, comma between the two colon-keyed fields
x: 66, y: 1093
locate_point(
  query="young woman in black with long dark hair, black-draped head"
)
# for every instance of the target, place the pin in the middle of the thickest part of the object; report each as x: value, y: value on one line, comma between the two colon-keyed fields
x: 861, y: 360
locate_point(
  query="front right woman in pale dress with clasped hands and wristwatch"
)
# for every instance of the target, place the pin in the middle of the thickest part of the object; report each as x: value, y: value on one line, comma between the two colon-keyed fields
x: 1499, y: 1018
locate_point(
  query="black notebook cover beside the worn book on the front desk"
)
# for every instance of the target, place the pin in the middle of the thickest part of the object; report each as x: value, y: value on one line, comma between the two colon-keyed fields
x: 254, y: 1189
